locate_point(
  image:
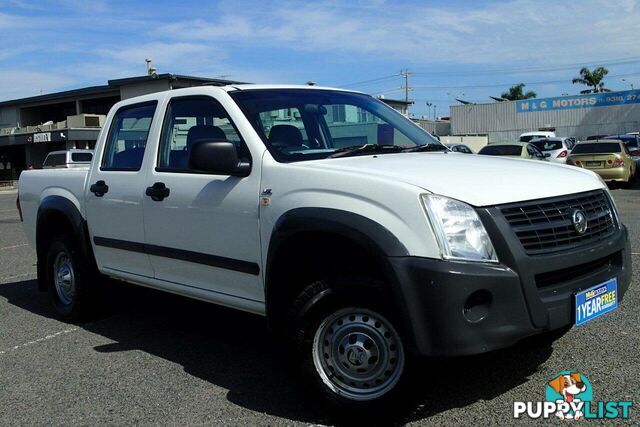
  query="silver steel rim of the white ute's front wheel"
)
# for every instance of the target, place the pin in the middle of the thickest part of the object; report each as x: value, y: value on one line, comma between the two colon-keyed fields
x: 358, y: 354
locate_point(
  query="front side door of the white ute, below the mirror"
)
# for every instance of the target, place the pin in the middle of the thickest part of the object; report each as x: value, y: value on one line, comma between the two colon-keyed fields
x: 203, y: 237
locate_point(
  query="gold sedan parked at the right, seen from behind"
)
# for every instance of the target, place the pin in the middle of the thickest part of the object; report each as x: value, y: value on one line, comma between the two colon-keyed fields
x: 609, y: 158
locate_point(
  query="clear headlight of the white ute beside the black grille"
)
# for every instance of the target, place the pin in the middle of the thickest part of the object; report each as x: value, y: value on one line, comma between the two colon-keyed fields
x: 459, y: 231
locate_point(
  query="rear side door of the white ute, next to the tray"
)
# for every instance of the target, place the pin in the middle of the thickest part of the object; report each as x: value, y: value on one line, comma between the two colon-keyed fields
x: 115, y: 190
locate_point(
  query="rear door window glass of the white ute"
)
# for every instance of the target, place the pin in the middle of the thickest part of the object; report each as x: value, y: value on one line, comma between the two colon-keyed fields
x: 127, y: 137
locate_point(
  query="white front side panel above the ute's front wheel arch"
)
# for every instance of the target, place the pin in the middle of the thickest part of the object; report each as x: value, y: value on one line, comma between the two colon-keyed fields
x: 393, y: 206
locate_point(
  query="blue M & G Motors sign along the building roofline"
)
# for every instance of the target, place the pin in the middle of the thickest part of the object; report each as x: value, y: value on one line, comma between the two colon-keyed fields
x: 578, y: 101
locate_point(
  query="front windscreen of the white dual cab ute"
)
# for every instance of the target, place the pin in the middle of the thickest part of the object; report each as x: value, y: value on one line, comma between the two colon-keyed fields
x: 308, y: 124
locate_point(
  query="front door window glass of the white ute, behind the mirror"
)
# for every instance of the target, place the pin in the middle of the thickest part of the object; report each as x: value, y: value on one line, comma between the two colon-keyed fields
x: 191, y: 120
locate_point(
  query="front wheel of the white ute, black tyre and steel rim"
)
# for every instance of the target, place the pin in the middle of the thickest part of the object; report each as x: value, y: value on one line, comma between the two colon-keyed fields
x: 350, y: 347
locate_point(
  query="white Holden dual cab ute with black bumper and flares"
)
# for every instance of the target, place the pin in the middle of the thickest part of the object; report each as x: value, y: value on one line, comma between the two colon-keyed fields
x: 360, y: 238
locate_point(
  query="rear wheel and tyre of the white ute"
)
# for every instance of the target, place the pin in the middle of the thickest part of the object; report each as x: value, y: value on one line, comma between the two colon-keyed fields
x: 71, y: 281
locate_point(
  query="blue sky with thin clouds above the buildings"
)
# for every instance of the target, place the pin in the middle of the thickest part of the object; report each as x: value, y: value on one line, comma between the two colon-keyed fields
x: 458, y: 48
